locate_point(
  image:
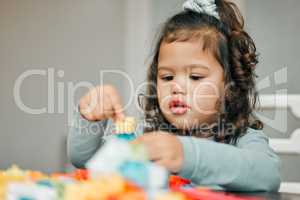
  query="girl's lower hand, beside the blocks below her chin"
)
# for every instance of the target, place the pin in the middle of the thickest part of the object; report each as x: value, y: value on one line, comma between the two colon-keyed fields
x: 164, y: 149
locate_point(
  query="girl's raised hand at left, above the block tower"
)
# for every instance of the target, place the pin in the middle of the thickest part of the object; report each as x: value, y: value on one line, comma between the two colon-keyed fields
x: 100, y: 103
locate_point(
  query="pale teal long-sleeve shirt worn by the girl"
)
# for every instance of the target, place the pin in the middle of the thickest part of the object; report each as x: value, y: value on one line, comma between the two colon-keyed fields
x: 249, y: 165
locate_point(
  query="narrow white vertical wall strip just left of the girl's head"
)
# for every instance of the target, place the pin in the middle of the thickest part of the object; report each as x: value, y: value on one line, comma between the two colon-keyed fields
x: 137, y: 43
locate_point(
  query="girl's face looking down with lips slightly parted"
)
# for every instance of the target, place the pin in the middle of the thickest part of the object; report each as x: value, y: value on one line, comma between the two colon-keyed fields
x: 190, y: 84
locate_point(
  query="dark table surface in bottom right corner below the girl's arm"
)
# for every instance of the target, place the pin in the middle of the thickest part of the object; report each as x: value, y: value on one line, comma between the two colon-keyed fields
x: 271, y: 196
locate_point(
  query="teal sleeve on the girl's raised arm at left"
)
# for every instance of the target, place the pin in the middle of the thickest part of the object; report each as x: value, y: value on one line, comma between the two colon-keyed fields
x: 84, y: 139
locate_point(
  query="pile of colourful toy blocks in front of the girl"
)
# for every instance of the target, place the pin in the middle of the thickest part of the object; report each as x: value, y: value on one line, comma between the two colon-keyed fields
x: 120, y: 170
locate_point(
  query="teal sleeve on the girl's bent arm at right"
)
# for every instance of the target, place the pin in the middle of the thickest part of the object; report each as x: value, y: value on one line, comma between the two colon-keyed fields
x: 250, y: 165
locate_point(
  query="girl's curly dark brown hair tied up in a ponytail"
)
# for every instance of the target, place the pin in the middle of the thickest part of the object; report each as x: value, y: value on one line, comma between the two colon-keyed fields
x: 235, y: 51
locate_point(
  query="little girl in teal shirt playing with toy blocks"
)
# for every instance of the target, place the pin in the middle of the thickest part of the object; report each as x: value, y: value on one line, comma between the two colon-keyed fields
x: 198, y: 107
